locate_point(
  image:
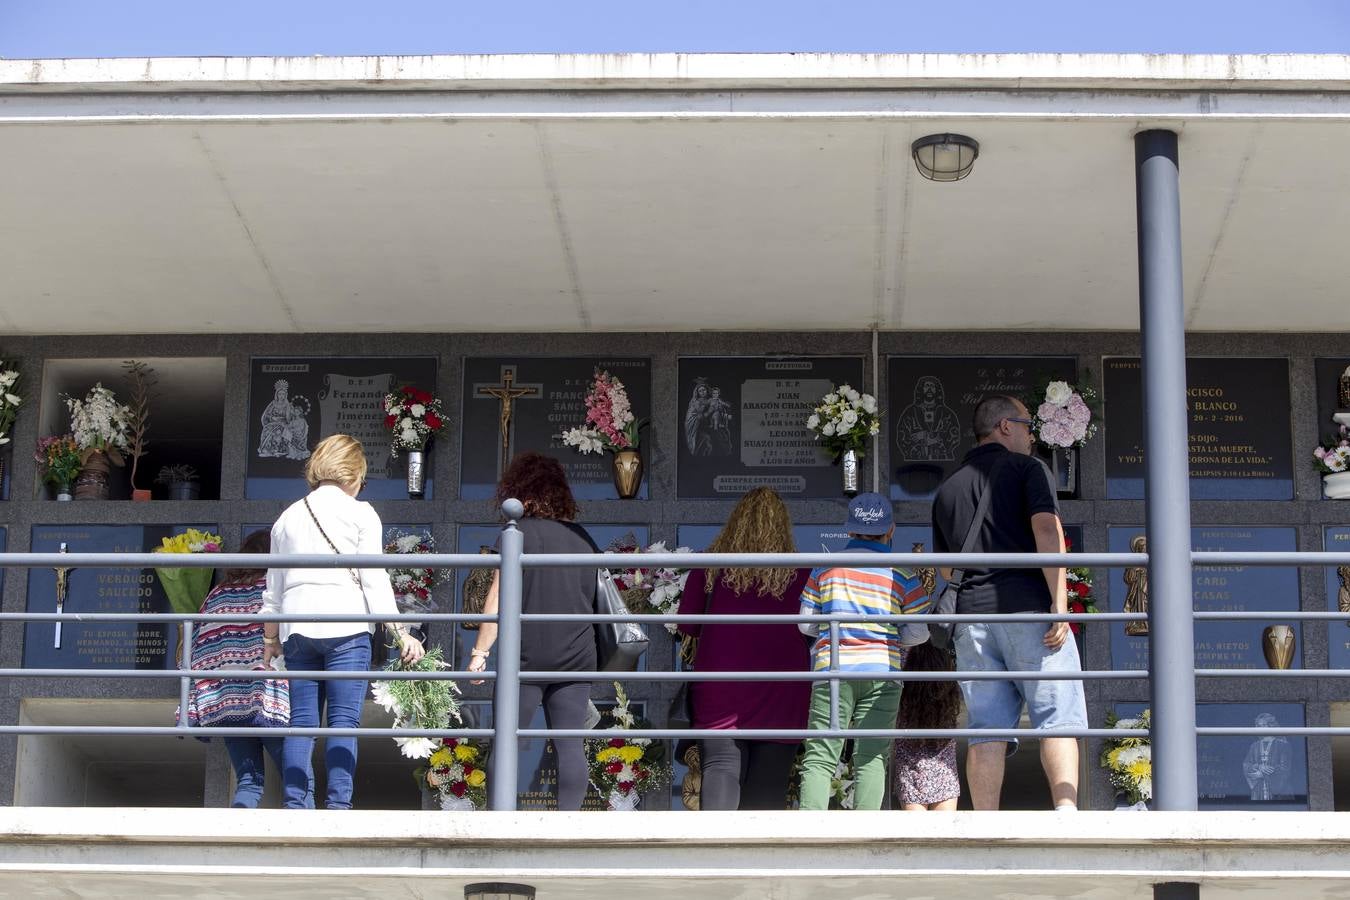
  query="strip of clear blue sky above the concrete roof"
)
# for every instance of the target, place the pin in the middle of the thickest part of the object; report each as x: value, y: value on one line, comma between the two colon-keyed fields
x: 48, y: 29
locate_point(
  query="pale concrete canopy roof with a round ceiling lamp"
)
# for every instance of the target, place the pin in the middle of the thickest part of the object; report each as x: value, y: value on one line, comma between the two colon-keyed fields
x: 659, y: 194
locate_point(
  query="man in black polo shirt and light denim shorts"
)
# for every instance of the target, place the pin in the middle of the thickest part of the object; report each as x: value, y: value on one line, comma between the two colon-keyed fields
x: 1024, y: 517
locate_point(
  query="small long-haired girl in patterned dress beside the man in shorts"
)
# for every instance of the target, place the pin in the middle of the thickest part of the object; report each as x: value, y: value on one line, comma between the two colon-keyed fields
x: 925, y: 768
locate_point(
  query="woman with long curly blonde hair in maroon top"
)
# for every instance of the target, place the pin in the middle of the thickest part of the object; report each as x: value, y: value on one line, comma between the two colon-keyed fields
x: 749, y: 775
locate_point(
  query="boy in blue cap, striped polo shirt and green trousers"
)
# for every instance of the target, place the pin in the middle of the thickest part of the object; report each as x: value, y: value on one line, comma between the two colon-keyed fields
x: 865, y: 647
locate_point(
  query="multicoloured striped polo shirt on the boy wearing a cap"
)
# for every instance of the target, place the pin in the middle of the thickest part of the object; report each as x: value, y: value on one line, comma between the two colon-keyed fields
x: 865, y: 647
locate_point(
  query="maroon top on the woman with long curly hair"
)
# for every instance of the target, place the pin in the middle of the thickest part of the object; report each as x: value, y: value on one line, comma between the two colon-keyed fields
x: 747, y: 648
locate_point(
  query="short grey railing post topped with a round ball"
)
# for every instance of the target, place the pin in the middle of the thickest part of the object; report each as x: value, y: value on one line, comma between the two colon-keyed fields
x: 507, y: 690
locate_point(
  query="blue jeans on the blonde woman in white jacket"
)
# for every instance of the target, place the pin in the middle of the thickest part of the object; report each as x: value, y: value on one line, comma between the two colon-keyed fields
x: 345, y: 701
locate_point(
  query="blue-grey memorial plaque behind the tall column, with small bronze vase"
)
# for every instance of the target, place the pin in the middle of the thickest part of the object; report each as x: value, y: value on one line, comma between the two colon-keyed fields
x: 1218, y: 644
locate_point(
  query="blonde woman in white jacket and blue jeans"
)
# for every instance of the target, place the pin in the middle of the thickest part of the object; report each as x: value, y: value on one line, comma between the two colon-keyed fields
x: 330, y: 520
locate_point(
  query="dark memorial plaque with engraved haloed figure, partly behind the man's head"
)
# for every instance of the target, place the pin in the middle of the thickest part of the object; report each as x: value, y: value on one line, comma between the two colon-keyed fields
x: 932, y: 400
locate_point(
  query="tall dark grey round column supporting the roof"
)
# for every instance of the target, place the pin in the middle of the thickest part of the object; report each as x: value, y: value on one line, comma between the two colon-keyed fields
x: 1167, y: 470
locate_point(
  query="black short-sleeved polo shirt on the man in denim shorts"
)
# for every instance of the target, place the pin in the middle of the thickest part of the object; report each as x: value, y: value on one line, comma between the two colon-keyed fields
x: 1023, y: 490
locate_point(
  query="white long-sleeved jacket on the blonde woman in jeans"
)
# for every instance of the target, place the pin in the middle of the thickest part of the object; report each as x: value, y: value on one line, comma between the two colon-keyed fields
x: 354, y: 527
